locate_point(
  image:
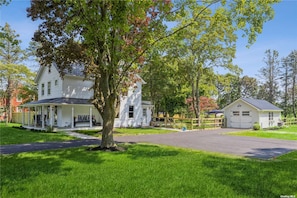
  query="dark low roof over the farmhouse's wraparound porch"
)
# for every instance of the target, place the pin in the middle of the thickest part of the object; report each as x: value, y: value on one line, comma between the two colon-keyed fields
x: 59, y: 101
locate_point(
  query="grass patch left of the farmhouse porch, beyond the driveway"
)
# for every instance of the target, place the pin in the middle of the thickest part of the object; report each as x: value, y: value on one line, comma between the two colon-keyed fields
x: 11, y: 135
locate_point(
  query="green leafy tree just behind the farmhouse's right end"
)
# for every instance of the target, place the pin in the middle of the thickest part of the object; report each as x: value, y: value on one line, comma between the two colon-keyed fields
x: 164, y: 87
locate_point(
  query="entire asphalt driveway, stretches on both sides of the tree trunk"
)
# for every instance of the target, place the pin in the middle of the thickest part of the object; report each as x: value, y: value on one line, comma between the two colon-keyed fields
x: 208, y: 140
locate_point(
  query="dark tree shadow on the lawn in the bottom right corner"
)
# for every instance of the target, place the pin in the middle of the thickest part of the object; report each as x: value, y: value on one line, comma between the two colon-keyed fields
x: 255, y: 178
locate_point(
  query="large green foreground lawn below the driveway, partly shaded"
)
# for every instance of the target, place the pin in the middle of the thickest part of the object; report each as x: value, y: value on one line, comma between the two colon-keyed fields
x: 144, y: 170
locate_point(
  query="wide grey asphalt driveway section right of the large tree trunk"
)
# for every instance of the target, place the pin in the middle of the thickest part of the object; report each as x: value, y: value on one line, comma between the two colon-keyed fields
x: 218, y: 141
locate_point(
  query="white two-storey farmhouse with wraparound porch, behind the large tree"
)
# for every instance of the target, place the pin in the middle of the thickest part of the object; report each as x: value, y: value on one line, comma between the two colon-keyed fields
x: 64, y: 103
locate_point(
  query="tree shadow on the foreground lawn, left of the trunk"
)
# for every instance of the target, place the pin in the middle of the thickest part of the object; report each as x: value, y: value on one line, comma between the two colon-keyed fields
x: 28, y: 166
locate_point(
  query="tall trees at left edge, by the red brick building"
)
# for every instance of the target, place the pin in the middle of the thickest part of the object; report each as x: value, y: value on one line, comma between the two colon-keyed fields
x: 16, y: 79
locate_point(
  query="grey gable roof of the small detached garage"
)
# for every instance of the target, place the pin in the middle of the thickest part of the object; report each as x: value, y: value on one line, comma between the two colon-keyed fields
x: 261, y: 105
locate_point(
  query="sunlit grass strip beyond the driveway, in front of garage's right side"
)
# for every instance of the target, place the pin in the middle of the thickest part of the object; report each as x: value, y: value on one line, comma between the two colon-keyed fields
x: 286, y: 133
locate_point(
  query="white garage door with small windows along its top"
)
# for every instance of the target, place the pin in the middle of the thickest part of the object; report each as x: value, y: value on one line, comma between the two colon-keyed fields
x: 241, y: 119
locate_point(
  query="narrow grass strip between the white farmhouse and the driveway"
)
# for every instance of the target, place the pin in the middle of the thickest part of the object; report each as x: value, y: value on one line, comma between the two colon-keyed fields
x: 128, y: 131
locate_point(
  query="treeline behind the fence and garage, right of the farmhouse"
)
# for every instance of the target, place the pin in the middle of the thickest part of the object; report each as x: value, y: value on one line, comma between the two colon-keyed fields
x: 170, y: 88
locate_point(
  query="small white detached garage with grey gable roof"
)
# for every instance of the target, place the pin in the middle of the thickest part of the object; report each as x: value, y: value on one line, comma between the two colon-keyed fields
x: 245, y: 112
